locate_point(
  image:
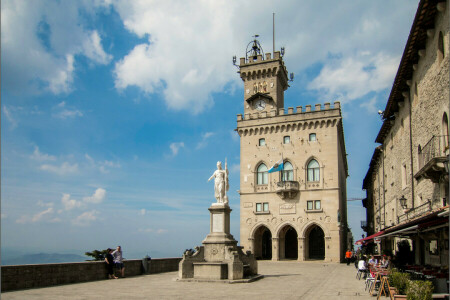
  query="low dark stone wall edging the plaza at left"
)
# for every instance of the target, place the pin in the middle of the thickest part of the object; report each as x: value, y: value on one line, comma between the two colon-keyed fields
x: 34, y: 276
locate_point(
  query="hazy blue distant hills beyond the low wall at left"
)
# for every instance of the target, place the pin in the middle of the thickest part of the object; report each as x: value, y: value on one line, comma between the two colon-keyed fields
x: 43, y: 258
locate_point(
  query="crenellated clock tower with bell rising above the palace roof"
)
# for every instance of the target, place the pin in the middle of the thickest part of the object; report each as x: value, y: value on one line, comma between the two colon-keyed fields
x: 265, y: 79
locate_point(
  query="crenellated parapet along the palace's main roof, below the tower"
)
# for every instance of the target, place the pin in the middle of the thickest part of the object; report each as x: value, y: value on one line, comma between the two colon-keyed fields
x: 290, y: 111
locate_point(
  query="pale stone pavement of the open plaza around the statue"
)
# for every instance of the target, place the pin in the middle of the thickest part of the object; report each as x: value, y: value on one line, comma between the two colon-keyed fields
x: 283, y: 280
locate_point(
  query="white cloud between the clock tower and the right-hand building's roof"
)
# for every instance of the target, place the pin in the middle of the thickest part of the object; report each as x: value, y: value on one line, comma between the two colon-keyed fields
x: 350, y: 78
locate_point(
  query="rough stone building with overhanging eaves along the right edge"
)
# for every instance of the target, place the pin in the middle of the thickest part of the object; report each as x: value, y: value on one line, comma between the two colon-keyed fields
x: 407, y: 181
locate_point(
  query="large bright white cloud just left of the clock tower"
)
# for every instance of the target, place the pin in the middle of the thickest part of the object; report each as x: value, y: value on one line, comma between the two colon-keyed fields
x: 187, y: 54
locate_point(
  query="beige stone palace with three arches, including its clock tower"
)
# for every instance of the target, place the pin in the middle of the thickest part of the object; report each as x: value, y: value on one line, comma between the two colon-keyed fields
x: 300, y: 212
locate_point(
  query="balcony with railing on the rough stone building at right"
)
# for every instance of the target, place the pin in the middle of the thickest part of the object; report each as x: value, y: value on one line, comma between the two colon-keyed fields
x: 433, y: 158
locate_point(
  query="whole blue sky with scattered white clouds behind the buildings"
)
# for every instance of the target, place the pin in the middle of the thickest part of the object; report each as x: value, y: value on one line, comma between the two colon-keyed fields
x: 114, y: 113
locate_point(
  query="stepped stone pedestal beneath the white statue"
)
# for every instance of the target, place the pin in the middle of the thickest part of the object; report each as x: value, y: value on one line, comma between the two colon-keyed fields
x: 219, y: 259
